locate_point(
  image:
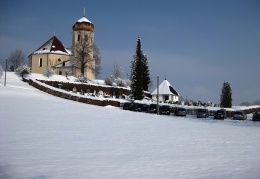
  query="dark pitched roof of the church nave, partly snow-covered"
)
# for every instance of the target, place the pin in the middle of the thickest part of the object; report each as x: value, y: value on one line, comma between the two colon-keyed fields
x: 53, y: 45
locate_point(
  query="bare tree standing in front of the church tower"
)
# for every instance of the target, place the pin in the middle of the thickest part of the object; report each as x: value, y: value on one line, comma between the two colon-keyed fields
x: 83, y: 56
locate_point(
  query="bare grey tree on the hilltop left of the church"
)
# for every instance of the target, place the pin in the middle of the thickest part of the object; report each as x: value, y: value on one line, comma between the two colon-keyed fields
x: 16, y: 59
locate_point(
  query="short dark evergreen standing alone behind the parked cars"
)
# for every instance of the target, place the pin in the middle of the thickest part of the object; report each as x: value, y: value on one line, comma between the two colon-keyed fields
x: 226, y: 96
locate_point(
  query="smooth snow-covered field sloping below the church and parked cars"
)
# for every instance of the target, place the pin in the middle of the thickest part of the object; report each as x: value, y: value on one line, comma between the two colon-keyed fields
x: 45, y: 137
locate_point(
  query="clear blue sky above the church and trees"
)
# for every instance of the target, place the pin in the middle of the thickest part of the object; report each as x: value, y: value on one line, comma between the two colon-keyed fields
x: 197, y: 44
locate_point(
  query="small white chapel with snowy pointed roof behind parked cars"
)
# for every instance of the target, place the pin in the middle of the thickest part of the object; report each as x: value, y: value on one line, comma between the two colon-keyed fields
x: 166, y: 93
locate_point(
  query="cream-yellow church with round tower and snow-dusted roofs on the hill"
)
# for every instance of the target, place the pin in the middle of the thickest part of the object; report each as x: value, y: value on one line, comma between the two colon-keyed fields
x: 54, y: 54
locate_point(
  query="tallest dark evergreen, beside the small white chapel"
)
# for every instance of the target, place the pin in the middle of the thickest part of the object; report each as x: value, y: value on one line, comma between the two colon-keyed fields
x: 140, y: 77
